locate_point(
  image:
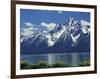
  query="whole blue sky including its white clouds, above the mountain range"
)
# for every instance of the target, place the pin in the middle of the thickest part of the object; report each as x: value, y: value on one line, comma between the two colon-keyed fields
x: 32, y: 19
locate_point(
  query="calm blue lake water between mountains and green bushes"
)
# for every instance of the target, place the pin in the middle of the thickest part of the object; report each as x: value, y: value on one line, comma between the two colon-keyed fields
x: 50, y: 58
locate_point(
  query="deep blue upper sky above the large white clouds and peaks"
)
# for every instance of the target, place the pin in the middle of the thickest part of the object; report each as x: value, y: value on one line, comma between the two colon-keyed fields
x: 36, y: 17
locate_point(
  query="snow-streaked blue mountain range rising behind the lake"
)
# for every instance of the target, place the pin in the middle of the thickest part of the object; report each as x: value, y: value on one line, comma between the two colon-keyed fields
x: 71, y: 36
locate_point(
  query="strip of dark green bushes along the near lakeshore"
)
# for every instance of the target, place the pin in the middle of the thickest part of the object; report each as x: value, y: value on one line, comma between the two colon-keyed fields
x: 43, y: 64
